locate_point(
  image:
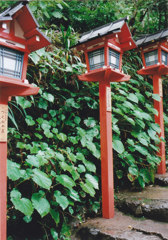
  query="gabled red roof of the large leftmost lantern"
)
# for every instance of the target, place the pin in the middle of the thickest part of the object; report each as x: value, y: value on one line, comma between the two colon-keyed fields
x: 28, y: 24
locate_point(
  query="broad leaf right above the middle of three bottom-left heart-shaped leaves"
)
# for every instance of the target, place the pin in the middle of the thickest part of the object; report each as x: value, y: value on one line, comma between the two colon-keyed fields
x: 41, y: 179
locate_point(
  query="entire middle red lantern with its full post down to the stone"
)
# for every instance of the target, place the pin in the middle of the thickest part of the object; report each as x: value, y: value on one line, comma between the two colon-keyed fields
x: 103, y: 48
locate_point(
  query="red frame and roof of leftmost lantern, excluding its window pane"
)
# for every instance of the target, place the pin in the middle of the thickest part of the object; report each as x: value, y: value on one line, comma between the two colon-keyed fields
x: 19, y: 31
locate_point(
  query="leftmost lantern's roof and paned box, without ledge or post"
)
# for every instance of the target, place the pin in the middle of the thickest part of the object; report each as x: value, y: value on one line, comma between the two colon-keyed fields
x: 19, y: 36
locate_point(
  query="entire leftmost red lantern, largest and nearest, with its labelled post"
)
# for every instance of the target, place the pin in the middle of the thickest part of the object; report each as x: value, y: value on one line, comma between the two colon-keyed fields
x: 19, y: 36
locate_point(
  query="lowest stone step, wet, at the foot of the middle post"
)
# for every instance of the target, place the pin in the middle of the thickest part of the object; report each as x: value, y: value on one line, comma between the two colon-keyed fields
x: 121, y: 227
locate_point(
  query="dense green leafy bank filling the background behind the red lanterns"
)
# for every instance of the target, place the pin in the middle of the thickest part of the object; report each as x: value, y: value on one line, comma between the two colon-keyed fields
x: 54, y: 142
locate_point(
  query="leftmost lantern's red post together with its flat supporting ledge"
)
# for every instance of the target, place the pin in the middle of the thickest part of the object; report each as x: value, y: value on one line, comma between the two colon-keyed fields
x: 20, y: 89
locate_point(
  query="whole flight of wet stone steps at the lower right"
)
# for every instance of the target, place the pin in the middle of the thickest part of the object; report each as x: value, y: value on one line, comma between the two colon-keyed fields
x: 138, y: 216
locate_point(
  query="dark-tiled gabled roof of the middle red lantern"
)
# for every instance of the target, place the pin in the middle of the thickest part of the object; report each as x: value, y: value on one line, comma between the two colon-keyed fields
x: 119, y: 27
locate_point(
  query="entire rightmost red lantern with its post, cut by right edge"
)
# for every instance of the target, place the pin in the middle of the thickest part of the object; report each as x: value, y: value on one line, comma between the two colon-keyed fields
x: 154, y: 52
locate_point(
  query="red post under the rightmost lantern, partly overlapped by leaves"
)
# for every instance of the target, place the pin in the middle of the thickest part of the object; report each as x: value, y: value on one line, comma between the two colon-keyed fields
x: 157, y: 89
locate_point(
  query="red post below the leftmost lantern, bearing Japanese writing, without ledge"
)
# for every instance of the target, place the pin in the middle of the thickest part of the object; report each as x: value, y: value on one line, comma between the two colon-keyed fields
x: 3, y: 165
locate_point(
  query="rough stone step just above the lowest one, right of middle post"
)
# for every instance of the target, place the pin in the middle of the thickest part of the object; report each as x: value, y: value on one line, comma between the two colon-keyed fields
x: 151, y: 203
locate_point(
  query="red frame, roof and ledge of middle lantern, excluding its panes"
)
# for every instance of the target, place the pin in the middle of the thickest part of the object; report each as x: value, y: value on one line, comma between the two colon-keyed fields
x: 115, y: 36
